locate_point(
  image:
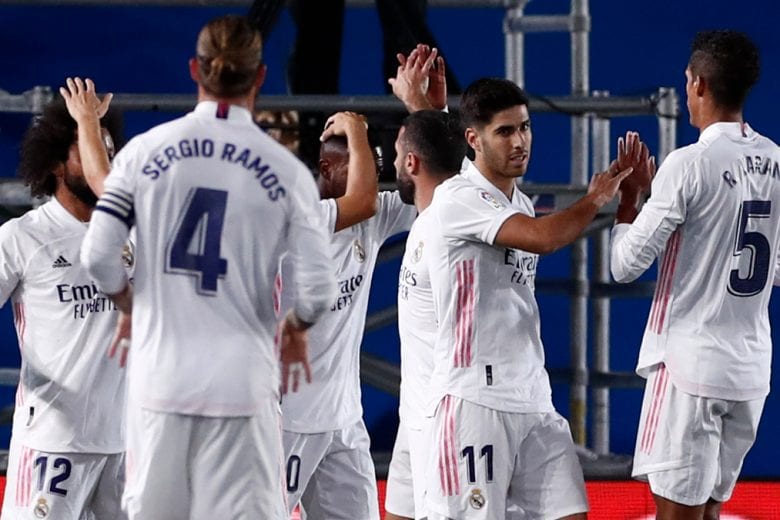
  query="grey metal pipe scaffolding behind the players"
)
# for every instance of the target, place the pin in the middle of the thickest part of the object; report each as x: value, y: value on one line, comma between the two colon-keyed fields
x: 590, y: 127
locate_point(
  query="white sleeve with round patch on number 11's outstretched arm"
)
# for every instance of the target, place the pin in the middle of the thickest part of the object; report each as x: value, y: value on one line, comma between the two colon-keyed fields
x: 471, y: 213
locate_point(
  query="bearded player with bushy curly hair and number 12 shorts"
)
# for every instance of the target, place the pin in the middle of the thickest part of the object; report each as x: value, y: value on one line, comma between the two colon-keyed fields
x: 67, y: 446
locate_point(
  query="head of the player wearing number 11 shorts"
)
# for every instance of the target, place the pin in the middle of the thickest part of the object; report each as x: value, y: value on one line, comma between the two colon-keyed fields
x: 498, y: 127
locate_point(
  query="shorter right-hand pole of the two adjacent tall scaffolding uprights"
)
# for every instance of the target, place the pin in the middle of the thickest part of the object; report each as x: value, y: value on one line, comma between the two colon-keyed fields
x: 601, y: 160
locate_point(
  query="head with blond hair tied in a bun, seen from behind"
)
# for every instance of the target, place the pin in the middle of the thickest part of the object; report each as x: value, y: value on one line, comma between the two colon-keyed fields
x: 228, y: 58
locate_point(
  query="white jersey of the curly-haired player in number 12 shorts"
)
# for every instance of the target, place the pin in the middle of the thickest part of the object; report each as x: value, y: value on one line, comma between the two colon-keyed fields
x: 71, y: 394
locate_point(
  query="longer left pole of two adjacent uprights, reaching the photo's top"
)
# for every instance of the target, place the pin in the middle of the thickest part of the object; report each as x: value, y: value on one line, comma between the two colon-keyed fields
x: 579, y: 259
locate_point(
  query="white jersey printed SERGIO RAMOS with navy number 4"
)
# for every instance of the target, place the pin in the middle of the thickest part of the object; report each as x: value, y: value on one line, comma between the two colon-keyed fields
x: 215, y: 202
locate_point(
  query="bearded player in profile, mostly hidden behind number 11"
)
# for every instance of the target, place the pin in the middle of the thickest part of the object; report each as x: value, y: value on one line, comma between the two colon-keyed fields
x: 429, y: 149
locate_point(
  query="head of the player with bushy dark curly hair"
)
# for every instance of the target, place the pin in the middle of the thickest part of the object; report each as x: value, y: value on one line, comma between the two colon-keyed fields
x: 50, y: 159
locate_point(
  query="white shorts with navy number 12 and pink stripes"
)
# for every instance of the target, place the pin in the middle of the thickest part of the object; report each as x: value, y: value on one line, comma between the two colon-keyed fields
x: 65, y: 486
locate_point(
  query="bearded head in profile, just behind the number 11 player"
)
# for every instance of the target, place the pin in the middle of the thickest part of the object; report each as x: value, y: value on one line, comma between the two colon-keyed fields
x: 431, y: 143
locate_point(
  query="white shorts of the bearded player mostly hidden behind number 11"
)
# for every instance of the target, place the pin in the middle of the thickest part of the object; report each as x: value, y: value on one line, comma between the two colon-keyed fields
x: 406, y: 474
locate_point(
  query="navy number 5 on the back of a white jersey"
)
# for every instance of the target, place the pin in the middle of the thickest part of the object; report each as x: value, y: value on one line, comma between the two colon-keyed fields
x: 758, y: 246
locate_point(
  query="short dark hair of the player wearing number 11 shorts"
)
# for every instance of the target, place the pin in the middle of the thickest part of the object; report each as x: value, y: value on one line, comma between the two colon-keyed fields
x: 485, y: 97
